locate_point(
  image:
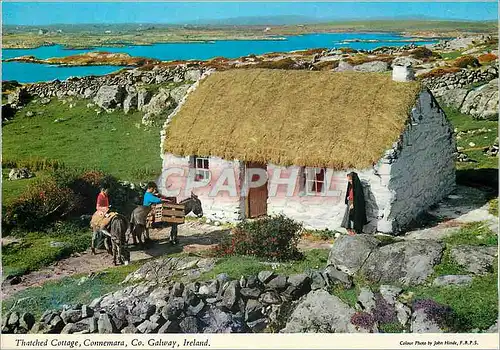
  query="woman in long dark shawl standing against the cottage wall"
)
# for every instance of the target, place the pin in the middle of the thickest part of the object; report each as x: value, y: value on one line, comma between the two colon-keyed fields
x: 355, y: 214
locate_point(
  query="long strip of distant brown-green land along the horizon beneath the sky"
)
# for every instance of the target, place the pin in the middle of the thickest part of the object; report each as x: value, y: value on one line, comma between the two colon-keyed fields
x: 83, y: 36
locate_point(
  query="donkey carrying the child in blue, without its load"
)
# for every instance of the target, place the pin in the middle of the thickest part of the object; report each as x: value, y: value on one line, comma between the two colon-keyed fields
x: 138, y: 227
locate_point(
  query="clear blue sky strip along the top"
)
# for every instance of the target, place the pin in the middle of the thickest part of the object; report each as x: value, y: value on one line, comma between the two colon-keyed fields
x: 39, y: 13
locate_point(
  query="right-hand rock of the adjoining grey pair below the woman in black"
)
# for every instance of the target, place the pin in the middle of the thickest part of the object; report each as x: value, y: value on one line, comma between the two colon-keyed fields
x: 408, y: 263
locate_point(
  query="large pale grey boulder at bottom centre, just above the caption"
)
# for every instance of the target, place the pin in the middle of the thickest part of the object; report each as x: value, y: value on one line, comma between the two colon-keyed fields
x: 320, y: 312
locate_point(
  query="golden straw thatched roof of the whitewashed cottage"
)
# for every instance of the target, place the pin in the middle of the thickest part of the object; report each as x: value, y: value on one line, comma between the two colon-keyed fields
x: 337, y: 120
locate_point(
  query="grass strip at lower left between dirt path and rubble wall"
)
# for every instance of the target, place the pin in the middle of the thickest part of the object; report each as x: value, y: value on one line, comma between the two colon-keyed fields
x: 69, y: 290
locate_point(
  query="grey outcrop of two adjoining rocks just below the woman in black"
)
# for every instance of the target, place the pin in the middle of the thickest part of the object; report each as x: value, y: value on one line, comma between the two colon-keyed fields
x: 407, y: 262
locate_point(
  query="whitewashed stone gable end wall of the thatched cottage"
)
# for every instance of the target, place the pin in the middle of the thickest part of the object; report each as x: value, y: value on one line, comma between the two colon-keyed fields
x: 421, y: 168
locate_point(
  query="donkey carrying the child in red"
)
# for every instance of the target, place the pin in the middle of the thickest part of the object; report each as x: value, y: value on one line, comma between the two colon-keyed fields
x: 115, y: 238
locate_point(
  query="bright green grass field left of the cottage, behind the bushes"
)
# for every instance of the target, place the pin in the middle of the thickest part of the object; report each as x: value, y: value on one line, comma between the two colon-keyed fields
x: 111, y: 141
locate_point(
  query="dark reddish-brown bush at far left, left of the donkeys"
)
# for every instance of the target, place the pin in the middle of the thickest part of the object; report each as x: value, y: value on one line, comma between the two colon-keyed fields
x: 41, y: 204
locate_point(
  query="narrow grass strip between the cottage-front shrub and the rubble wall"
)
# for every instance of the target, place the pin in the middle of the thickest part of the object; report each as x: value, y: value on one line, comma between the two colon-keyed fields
x: 237, y: 266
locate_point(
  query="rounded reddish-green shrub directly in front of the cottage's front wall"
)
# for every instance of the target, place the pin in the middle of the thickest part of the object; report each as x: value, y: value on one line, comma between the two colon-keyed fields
x: 273, y: 238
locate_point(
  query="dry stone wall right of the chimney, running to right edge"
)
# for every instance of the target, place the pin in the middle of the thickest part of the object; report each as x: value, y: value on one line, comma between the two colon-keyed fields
x: 463, y: 78
